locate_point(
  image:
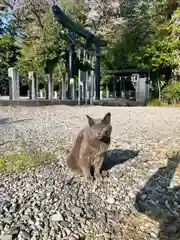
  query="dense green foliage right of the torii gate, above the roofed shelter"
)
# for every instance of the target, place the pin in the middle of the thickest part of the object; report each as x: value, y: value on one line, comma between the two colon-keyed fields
x: 149, y: 41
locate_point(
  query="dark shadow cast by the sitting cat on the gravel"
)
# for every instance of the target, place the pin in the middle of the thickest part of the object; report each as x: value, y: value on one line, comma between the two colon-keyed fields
x: 118, y: 156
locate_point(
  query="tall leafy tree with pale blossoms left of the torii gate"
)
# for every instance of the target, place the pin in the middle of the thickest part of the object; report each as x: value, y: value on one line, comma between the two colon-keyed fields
x: 41, y: 37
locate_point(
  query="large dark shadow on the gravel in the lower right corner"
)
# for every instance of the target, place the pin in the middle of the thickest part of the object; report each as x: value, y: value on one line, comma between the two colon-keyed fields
x: 162, y: 203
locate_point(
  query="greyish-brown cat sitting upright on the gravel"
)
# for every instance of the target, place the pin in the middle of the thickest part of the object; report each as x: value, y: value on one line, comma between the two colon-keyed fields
x: 90, y: 146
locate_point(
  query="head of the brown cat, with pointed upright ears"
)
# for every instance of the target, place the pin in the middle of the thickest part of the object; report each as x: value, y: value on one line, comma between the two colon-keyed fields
x: 101, y: 128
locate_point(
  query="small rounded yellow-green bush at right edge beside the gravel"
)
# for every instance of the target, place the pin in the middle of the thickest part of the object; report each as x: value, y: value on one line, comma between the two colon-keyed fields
x: 172, y: 92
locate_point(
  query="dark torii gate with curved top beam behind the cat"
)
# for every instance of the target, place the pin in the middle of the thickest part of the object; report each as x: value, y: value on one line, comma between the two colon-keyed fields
x: 91, y: 39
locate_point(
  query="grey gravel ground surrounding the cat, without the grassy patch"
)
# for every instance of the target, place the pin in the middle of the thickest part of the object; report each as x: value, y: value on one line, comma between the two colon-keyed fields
x: 138, y: 198
